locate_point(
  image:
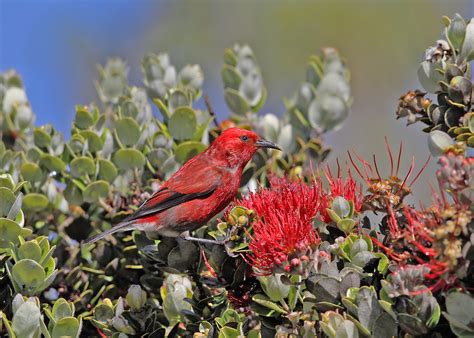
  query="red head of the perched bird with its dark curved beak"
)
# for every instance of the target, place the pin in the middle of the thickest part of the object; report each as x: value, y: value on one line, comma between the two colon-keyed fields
x: 237, y: 146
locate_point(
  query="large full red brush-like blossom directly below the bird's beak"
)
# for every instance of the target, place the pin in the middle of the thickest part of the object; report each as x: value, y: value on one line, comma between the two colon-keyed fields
x: 283, y: 231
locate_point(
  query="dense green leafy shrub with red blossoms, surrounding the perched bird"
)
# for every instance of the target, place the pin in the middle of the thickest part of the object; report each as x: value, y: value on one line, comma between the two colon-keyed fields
x: 302, y: 254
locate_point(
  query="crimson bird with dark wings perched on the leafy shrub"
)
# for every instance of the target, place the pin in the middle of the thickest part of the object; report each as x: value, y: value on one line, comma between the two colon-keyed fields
x: 198, y: 191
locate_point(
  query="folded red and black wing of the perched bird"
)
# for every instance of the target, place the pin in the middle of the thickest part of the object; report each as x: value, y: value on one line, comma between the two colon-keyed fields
x: 194, y: 180
